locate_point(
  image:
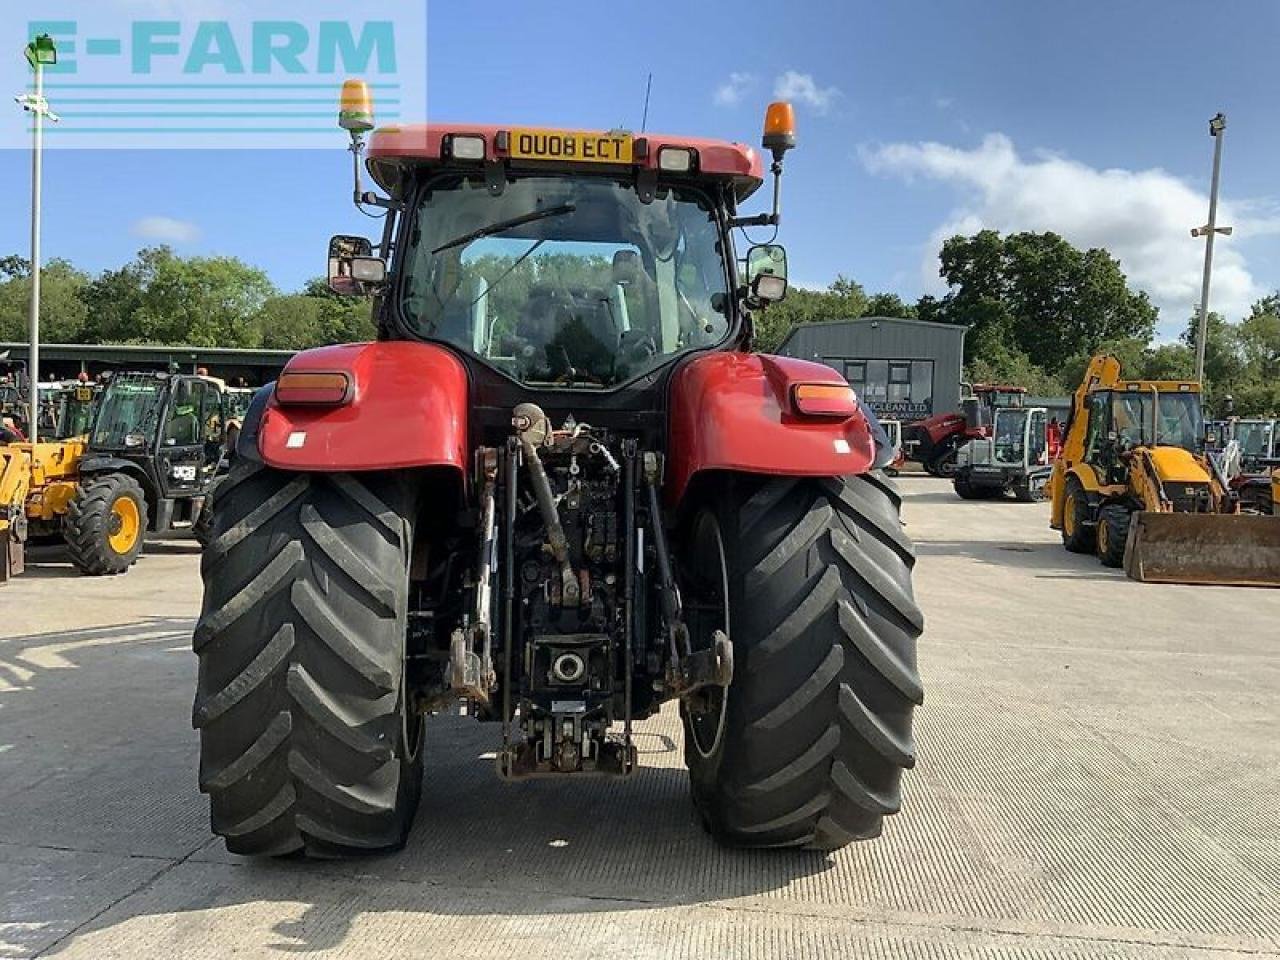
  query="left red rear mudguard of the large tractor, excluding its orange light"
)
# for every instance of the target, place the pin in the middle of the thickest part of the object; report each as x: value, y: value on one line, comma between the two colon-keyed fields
x: 408, y: 409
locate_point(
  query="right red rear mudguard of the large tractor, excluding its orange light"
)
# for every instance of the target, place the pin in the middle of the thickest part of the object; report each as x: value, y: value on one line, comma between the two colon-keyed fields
x: 733, y: 412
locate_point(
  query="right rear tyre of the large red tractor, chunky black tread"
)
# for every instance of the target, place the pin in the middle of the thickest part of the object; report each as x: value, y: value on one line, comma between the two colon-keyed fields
x: 817, y: 729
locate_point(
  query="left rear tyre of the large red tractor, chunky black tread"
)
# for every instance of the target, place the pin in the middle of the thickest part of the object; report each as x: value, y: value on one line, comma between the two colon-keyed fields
x: 307, y: 738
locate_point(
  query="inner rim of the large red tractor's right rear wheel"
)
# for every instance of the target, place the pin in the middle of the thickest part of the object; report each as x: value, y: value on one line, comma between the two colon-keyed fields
x: 707, y: 612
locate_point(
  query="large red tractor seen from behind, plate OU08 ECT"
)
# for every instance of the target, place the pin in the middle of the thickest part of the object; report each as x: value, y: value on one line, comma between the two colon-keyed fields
x: 563, y: 491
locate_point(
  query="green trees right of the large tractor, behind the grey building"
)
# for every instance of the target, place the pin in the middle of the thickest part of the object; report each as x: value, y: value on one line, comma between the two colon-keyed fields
x: 1037, y: 309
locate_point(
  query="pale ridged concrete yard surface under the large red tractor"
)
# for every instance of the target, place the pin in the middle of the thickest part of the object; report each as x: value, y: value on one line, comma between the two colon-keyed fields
x: 1099, y: 776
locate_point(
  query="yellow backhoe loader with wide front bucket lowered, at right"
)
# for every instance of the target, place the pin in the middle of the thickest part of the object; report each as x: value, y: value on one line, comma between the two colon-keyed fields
x: 1135, y: 486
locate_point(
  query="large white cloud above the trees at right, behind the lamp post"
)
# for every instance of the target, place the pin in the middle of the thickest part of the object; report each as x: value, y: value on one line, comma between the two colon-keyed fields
x: 1142, y: 217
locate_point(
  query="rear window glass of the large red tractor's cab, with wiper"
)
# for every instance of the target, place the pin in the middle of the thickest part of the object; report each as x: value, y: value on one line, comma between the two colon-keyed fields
x: 566, y: 281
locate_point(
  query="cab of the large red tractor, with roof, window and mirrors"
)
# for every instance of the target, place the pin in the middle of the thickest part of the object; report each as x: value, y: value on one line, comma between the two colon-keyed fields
x: 565, y: 263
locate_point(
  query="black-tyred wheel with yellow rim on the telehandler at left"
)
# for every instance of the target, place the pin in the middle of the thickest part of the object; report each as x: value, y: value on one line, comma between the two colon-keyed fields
x: 107, y: 523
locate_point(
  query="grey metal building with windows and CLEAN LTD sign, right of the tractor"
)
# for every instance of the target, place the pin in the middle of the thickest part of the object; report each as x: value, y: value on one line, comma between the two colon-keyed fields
x: 903, y: 369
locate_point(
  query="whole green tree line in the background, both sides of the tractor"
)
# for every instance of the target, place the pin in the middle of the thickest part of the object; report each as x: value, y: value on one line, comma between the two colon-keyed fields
x: 1037, y: 309
